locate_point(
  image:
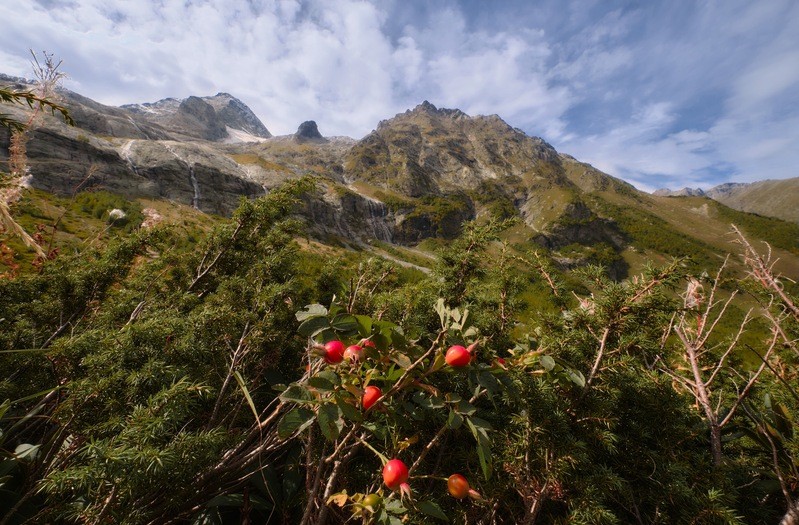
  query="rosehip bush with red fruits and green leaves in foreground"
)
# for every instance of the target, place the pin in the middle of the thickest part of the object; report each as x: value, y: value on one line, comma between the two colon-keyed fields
x: 431, y: 417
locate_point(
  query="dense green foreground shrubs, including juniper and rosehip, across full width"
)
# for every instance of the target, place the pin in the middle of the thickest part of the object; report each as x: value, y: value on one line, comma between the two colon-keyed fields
x: 151, y: 383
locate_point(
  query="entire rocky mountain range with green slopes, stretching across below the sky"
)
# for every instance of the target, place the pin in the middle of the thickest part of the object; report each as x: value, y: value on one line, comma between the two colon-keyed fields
x: 419, y: 175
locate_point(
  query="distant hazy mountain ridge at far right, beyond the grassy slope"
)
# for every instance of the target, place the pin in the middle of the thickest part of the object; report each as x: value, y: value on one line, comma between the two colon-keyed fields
x: 772, y: 198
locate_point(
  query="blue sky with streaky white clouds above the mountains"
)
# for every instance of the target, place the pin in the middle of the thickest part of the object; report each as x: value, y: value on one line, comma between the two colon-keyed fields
x: 661, y: 93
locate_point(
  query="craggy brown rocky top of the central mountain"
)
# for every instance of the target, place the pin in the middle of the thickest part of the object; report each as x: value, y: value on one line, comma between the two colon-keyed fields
x: 428, y: 150
